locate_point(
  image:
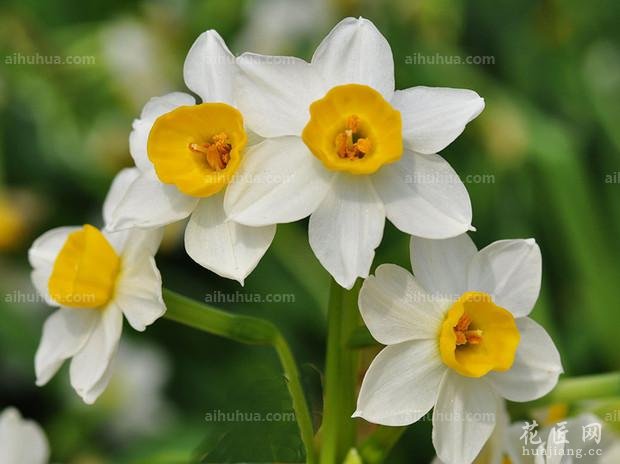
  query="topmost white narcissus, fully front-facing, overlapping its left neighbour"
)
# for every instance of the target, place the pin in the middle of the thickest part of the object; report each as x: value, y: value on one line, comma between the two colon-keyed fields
x: 348, y: 149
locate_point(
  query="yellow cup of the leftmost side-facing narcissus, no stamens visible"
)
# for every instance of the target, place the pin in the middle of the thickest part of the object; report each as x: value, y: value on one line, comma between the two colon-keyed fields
x: 85, y: 272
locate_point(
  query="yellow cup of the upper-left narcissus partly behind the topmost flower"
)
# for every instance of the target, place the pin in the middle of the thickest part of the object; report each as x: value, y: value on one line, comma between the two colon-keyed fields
x: 197, y: 148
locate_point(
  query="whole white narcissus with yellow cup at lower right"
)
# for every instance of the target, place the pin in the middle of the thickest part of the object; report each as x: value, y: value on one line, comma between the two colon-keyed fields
x: 458, y: 339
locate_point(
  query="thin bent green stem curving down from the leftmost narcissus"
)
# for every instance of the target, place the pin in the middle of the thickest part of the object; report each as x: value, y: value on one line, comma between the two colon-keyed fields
x: 252, y: 331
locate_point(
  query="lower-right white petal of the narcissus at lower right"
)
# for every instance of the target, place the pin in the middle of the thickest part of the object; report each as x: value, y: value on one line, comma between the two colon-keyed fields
x: 536, y: 368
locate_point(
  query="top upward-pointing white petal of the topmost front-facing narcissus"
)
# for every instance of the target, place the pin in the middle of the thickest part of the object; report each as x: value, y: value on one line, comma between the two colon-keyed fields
x: 356, y: 52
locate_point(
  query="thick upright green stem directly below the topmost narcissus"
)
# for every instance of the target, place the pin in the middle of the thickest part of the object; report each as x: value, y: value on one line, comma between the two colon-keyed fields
x: 338, y: 428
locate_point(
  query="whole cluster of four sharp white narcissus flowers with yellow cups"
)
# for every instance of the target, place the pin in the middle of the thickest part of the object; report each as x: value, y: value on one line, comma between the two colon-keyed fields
x: 278, y: 139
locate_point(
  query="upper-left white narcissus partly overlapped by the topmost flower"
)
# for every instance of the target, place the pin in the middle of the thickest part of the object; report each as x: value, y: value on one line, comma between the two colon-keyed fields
x: 185, y: 155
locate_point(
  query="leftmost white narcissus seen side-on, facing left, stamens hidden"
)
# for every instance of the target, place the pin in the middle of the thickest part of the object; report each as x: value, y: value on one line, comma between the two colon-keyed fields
x: 95, y: 278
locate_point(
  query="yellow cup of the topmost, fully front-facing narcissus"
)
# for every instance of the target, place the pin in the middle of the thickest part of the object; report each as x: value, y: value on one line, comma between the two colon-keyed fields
x: 354, y: 129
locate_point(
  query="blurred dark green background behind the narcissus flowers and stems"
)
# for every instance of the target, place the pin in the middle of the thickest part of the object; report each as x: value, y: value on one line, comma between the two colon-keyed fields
x: 541, y: 161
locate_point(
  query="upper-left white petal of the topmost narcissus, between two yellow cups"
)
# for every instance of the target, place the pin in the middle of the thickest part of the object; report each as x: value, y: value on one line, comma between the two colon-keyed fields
x: 274, y: 93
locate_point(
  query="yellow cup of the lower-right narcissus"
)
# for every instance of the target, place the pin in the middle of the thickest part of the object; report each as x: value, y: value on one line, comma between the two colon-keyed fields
x: 477, y: 336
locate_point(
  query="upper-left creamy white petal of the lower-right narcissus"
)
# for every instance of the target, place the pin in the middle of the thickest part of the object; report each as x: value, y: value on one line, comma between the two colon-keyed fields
x: 396, y: 309
